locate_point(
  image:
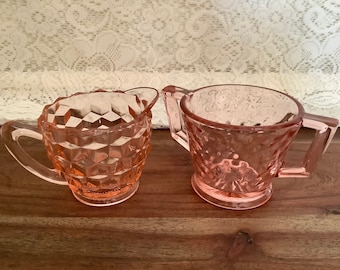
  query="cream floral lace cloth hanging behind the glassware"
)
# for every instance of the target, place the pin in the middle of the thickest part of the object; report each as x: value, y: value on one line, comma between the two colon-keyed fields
x: 52, y: 48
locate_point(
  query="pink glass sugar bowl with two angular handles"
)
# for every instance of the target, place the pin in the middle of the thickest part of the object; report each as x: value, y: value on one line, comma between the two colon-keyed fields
x: 238, y: 136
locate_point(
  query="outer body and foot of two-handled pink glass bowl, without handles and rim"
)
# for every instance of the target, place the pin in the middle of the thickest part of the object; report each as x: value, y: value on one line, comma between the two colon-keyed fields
x: 234, y: 169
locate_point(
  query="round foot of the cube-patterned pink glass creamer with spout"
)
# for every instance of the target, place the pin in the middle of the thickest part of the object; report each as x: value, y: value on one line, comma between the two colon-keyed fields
x: 108, y: 202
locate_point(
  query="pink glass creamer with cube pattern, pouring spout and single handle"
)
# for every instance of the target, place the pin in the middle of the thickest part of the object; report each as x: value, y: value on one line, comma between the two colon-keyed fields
x: 98, y: 143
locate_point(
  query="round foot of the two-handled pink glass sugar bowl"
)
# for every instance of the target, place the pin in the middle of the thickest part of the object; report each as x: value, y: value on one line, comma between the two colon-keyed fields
x: 222, y: 199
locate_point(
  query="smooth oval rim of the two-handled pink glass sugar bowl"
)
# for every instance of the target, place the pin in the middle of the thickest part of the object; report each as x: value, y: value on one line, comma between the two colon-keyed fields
x: 295, y: 120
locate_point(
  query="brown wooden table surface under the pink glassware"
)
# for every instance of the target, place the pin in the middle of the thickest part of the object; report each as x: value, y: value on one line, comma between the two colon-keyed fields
x: 165, y: 225
